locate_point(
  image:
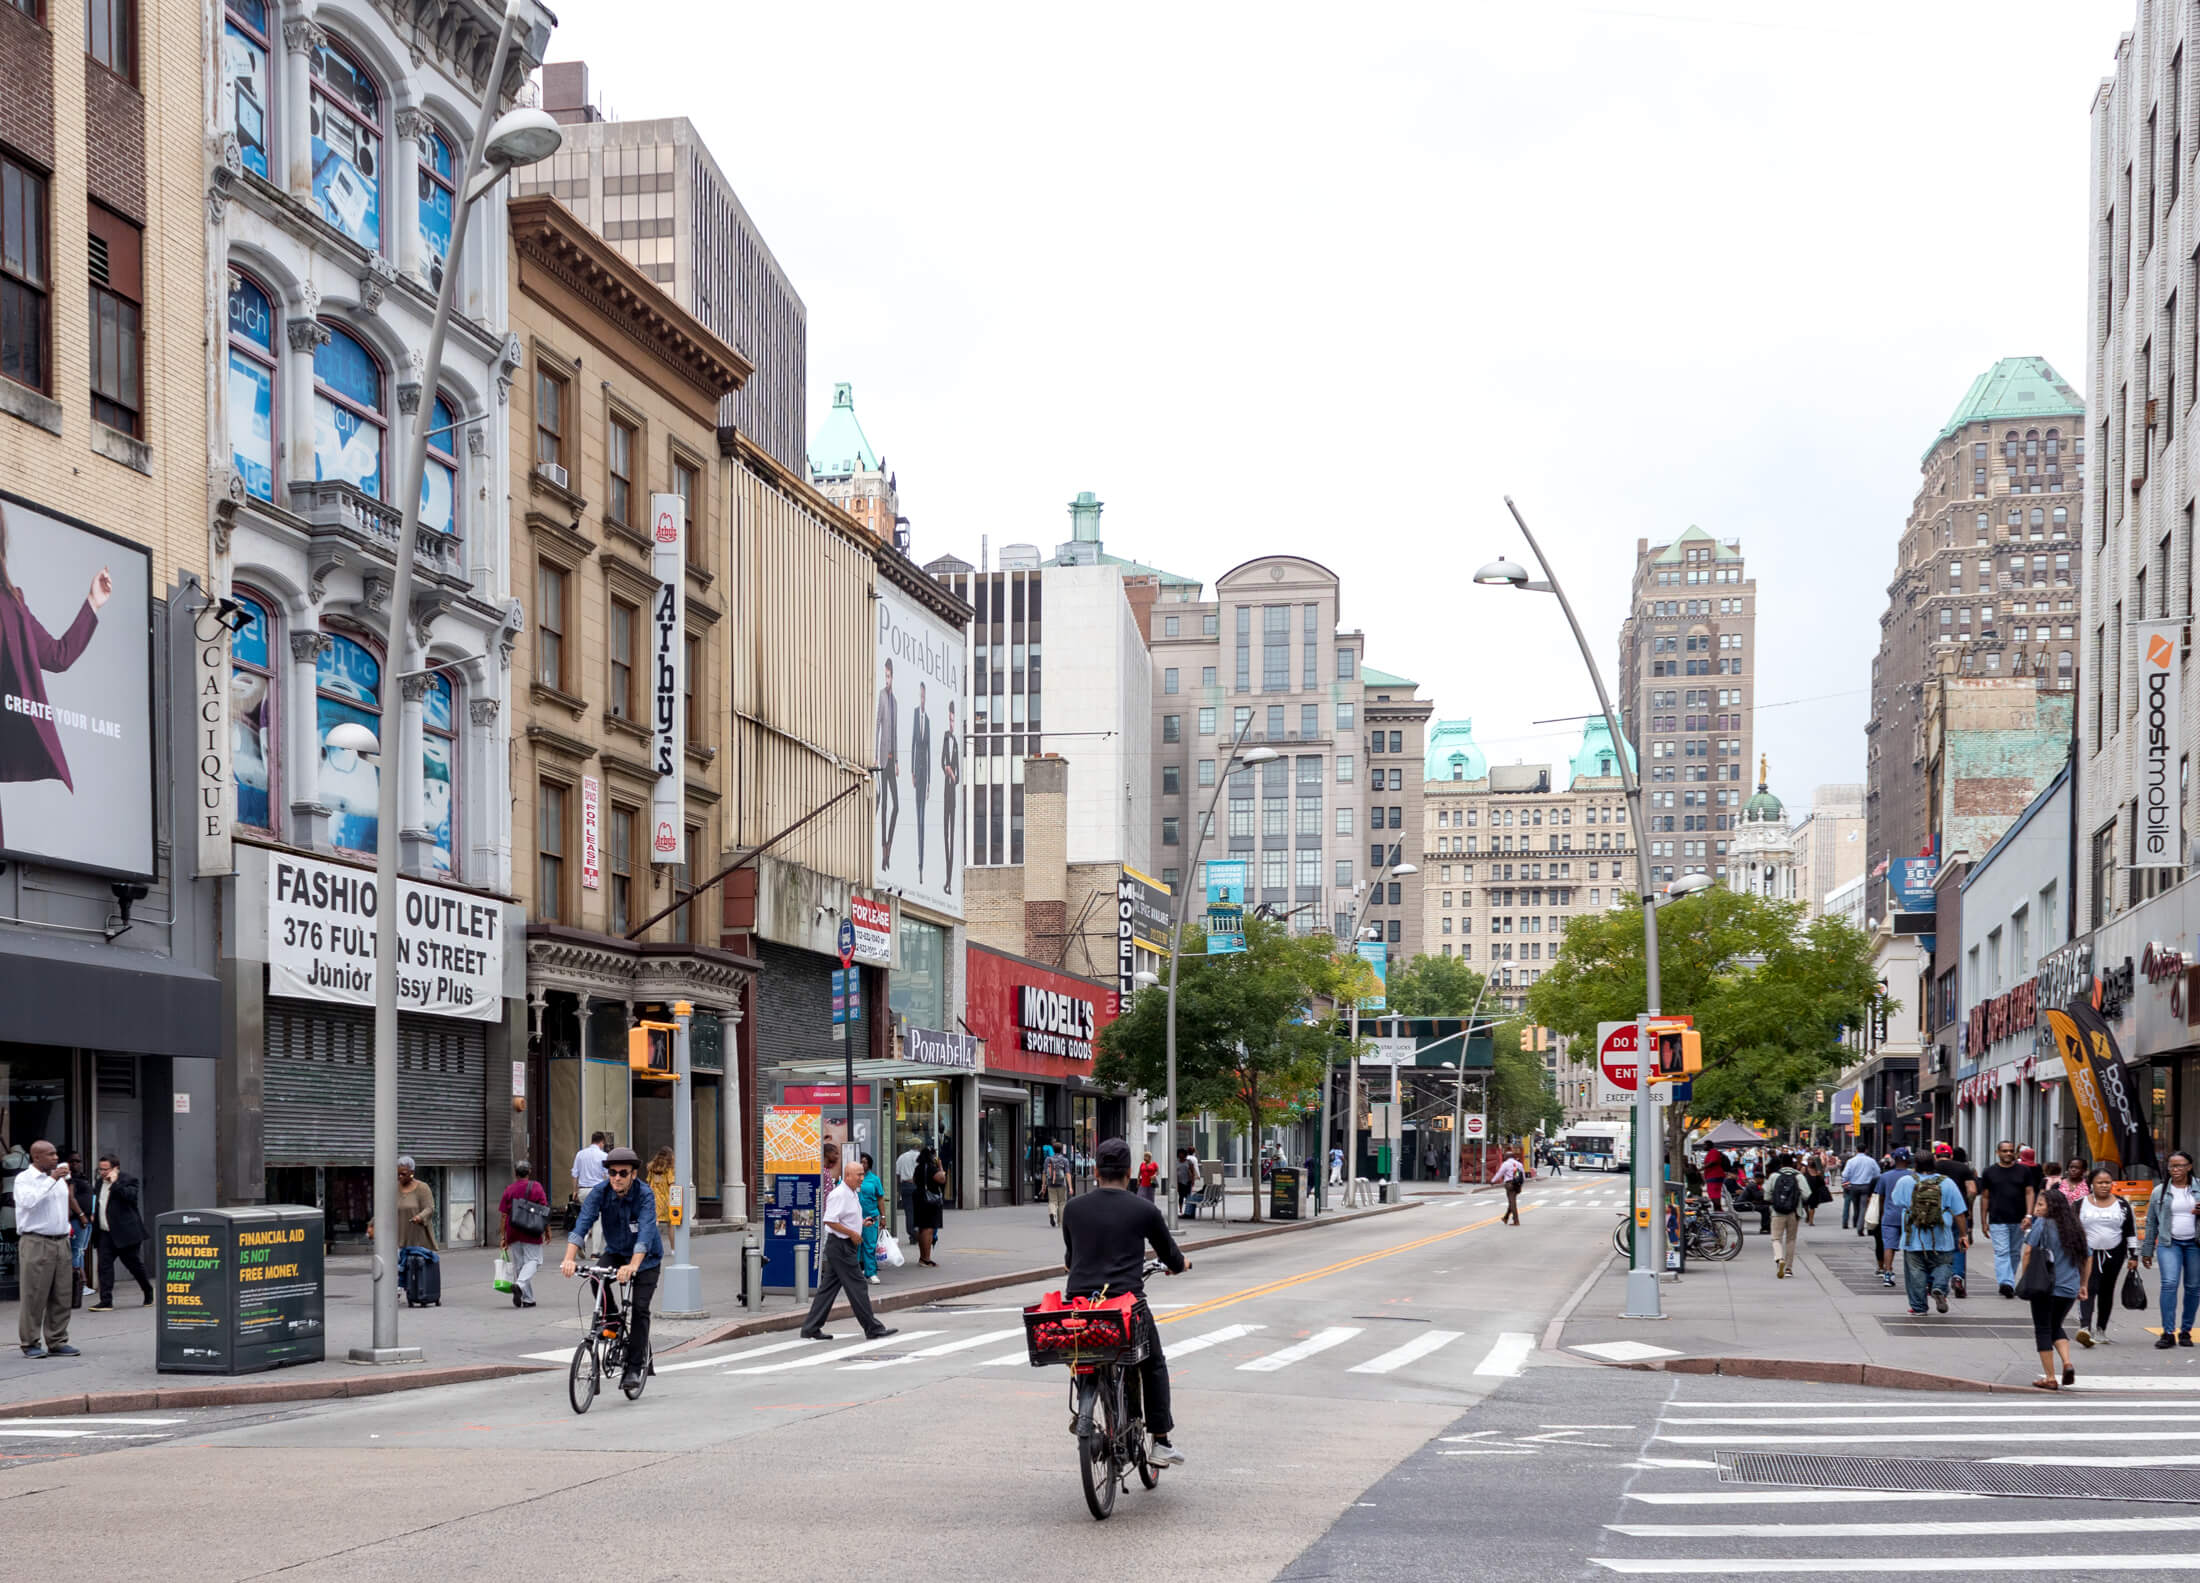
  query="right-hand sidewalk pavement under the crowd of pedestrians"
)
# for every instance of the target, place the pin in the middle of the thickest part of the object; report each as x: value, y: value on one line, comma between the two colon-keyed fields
x: 1834, y: 1322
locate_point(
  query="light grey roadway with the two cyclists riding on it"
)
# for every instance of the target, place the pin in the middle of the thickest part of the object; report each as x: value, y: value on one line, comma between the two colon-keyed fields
x: 1306, y: 1369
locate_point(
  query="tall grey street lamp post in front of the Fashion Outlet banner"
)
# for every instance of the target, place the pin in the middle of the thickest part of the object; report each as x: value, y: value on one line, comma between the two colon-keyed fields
x: 500, y: 144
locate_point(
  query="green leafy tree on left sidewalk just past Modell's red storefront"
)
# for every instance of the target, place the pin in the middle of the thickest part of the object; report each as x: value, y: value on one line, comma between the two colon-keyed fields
x: 1248, y: 1045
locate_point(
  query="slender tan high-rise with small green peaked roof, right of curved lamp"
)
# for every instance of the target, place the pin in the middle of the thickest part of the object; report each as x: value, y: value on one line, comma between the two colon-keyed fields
x: 1688, y: 698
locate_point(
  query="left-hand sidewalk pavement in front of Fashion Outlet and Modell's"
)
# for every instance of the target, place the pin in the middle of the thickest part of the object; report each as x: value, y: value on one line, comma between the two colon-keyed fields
x: 476, y: 1333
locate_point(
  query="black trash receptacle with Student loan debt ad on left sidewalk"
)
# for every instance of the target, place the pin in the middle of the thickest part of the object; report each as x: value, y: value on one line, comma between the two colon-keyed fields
x: 241, y: 1289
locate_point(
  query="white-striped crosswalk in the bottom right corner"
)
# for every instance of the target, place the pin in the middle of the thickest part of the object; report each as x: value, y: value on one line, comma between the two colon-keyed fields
x: 1691, y: 1514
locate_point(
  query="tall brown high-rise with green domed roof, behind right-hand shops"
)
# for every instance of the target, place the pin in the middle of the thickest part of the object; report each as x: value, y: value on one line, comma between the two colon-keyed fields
x: 1985, y: 579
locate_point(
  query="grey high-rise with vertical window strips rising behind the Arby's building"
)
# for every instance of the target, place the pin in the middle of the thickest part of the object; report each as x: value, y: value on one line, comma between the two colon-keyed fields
x: 654, y: 192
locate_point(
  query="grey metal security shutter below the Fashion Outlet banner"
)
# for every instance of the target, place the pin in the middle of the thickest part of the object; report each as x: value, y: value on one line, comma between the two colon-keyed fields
x: 320, y: 1087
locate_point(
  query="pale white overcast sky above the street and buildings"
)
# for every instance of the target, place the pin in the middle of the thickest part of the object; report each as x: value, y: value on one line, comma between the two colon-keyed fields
x: 1336, y: 280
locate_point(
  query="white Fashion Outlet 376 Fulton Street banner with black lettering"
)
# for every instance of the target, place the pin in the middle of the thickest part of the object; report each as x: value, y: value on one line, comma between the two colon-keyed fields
x: 322, y: 942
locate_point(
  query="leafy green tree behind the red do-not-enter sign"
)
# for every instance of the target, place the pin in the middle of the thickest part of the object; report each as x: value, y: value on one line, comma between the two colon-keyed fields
x: 1770, y: 995
